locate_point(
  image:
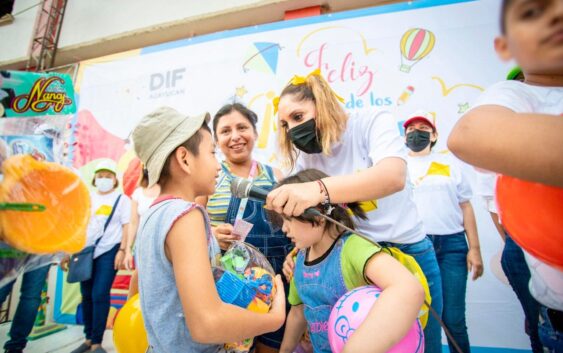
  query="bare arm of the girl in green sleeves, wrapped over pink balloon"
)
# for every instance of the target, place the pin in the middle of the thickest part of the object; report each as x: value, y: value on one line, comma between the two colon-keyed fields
x: 395, y: 310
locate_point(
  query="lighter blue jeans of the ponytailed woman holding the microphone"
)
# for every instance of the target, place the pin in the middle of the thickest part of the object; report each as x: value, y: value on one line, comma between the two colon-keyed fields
x: 424, y: 254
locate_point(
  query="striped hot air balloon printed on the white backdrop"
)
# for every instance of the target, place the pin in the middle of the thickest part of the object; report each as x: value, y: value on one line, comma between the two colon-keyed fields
x: 416, y: 44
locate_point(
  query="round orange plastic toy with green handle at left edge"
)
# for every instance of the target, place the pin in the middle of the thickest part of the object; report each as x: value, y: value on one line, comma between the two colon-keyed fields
x: 61, y: 226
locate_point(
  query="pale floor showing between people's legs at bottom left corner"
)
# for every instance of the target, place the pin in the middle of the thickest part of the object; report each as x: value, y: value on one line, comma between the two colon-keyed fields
x: 61, y: 342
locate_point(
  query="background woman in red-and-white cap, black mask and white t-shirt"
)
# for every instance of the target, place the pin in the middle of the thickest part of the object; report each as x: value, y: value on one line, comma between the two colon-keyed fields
x: 442, y: 193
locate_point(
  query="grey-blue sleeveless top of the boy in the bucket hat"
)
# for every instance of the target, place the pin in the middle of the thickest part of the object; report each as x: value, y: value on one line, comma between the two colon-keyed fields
x: 164, y: 318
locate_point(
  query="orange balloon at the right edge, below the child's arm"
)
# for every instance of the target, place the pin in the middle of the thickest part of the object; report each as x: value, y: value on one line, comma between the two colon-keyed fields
x: 532, y: 213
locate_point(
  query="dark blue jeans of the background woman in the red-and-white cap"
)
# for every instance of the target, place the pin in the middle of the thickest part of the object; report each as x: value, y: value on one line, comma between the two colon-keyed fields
x: 451, y: 252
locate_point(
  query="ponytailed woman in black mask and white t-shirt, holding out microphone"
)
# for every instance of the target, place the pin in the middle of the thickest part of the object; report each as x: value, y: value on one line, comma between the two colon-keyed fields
x: 366, y: 157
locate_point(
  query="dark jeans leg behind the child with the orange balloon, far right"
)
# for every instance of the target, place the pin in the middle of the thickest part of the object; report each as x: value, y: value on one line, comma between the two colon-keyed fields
x: 516, y: 270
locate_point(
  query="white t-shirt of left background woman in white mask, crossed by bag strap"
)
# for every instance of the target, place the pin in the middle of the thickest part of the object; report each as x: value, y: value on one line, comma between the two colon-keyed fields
x: 101, y: 209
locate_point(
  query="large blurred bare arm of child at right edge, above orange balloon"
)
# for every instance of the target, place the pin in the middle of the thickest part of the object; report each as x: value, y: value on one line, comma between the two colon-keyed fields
x: 526, y: 146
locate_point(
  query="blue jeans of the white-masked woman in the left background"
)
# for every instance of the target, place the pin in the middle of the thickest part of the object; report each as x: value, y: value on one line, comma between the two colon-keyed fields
x: 96, y: 295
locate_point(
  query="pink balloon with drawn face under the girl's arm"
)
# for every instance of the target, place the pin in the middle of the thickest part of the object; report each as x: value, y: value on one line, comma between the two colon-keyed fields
x: 350, y: 311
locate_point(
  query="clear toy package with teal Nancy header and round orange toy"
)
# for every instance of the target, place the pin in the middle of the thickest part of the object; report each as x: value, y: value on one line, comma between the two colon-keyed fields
x: 44, y: 206
